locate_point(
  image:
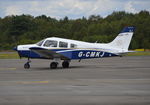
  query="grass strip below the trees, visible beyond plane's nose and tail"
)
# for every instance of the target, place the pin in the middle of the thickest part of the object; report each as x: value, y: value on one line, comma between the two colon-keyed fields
x: 14, y: 55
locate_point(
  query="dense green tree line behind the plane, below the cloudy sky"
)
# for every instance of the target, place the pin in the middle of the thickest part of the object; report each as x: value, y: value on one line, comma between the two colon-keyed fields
x: 25, y: 29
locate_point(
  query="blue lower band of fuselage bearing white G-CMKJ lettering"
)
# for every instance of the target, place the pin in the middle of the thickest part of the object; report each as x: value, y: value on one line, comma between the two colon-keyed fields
x: 70, y: 53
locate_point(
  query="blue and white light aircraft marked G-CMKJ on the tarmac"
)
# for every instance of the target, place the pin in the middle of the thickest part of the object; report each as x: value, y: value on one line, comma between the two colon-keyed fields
x: 58, y: 49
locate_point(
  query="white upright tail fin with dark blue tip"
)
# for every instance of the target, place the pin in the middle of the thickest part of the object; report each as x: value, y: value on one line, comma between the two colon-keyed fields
x: 122, y: 41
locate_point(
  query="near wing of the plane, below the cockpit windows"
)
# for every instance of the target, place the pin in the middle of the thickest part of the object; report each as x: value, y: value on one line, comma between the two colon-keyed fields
x: 47, y: 53
